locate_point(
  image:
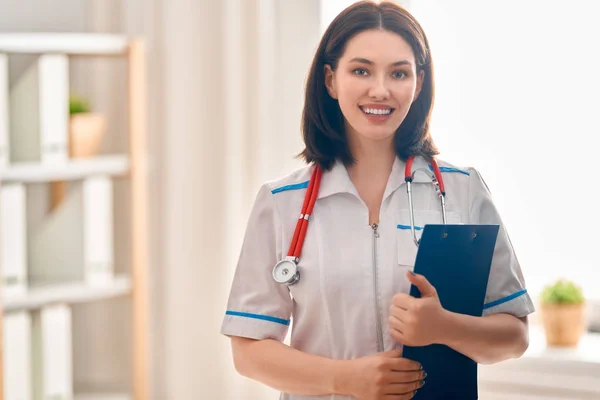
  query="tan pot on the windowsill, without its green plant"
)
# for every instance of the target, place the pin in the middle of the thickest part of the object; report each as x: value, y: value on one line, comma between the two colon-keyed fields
x: 563, y: 323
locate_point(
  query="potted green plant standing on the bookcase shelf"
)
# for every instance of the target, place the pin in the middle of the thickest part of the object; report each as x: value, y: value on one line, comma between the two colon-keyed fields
x: 86, y: 129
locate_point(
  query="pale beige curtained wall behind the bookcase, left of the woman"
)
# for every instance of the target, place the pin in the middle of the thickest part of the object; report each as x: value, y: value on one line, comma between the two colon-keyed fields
x: 225, y: 93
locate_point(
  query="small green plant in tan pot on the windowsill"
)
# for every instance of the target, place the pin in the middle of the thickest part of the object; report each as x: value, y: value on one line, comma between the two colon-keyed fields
x: 563, y: 309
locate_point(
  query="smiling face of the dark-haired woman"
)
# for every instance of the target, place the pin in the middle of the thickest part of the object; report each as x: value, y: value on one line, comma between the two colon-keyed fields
x: 375, y: 83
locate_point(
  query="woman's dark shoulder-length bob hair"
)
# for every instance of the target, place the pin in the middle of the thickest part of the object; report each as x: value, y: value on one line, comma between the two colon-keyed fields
x: 322, y: 119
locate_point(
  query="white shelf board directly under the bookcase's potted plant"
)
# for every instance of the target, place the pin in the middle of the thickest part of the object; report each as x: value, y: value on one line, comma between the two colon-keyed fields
x: 70, y: 170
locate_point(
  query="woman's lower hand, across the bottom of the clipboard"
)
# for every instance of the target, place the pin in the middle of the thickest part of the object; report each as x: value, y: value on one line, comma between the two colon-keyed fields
x: 382, y: 376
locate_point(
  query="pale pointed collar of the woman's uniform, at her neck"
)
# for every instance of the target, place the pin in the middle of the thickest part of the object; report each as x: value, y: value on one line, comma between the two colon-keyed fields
x: 337, y: 179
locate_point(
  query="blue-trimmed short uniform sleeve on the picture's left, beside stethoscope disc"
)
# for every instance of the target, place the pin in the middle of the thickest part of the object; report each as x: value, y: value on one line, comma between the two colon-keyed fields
x: 258, y: 307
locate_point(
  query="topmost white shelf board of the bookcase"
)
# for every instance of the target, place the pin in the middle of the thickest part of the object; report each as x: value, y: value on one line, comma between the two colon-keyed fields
x: 65, y: 43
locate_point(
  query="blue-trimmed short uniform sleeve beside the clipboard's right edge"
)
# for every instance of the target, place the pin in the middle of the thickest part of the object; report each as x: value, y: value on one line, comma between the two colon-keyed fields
x: 506, y: 291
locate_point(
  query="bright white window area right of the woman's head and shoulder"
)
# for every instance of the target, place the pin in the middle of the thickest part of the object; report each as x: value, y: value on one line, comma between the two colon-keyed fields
x: 518, y: 97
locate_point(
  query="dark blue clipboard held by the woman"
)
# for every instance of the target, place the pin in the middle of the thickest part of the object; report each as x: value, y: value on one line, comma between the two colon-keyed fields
x: 456, y: 259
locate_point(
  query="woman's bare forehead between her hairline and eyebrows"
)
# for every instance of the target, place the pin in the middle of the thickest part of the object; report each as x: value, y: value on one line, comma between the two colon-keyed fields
x: 379, y: 46
